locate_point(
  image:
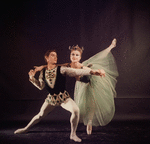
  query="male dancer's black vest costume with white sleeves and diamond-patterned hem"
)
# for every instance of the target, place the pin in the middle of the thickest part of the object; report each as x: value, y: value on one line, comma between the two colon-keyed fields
x: 54, y: 80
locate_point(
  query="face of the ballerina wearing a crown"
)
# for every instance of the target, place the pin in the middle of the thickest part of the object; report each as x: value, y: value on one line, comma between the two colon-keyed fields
x: 75, y: 56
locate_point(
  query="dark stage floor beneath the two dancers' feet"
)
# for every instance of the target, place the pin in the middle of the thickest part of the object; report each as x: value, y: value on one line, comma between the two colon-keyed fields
x: 57, y: 132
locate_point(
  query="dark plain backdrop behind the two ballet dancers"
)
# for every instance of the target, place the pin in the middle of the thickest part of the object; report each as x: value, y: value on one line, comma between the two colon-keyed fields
x: 29, y: 28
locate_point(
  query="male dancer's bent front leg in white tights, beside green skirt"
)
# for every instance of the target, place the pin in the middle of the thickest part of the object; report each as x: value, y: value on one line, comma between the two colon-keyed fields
x: 71, y: 106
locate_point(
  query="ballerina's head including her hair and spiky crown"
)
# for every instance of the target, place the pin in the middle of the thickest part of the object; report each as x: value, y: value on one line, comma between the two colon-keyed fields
x: 76, y: 53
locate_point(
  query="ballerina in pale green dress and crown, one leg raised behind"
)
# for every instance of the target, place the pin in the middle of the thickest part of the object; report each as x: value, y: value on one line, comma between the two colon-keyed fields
x: 95, y: 95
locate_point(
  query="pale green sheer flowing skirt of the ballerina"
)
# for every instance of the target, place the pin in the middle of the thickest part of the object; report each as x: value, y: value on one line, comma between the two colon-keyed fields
x: 95, y: 99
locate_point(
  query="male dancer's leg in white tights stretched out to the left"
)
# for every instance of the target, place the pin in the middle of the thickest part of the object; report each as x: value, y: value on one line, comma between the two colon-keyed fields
x: 45, y: 109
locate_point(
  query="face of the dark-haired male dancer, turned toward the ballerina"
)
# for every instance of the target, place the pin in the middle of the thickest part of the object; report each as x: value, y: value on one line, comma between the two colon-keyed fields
x: 52, y: 58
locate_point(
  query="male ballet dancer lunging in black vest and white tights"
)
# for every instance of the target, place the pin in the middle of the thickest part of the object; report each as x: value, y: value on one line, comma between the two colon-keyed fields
x: 53, y: 78
